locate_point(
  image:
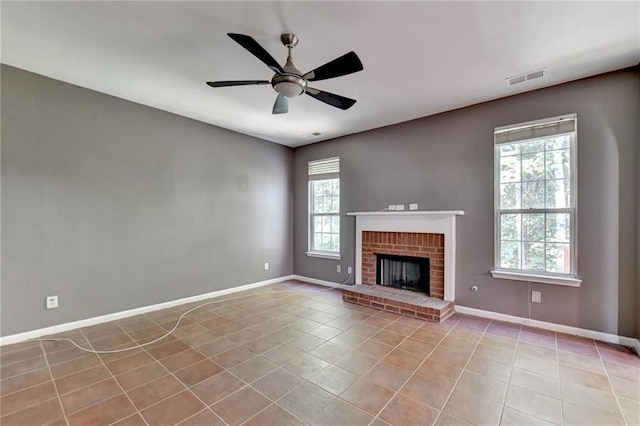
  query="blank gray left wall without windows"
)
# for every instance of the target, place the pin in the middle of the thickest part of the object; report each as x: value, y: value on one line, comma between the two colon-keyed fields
x: 112, y: 205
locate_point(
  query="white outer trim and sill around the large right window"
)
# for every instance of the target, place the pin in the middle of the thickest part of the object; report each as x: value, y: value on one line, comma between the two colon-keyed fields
x: 570, y: 280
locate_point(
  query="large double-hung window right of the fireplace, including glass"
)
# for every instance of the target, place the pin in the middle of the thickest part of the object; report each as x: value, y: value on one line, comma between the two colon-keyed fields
x: 535, y: 194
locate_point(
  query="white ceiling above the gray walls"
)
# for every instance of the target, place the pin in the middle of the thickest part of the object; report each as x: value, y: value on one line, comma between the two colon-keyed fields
x: 420, y: 58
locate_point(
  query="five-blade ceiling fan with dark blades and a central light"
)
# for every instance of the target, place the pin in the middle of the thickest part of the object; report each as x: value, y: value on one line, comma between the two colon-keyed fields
x: 288, y: 81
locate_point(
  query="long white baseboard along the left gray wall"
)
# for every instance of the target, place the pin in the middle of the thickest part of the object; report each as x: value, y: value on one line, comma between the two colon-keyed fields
x: 33, y: 334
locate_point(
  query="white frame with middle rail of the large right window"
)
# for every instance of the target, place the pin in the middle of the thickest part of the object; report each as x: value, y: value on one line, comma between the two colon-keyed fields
x: 566, y: 279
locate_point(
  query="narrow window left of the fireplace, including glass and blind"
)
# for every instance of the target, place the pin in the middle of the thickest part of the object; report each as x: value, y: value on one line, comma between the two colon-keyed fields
x: 324, y: 208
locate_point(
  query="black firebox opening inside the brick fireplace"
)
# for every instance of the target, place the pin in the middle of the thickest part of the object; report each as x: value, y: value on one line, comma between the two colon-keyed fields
x: 406, y: 272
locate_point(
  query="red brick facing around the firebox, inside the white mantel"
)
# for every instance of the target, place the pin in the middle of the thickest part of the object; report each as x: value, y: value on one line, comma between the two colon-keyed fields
x: 422, y: 245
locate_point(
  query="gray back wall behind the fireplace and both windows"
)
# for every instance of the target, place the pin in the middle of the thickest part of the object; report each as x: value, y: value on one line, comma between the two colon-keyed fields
x: 445, y: 162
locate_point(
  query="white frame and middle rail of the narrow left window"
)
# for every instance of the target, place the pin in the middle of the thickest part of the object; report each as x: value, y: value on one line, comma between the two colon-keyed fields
x: 327, y: 169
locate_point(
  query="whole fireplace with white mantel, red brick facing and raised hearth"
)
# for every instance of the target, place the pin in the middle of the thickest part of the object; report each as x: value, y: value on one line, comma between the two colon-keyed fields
x: 419, y: 234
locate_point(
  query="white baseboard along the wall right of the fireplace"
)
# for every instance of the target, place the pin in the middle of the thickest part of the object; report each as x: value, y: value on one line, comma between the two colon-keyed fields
x: 591, y: 334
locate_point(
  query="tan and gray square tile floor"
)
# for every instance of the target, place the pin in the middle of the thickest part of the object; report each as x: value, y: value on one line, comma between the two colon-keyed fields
x: 295, y: 354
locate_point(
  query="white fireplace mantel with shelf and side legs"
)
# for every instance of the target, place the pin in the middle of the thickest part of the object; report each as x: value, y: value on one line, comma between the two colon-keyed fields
x: 432, y: 222
